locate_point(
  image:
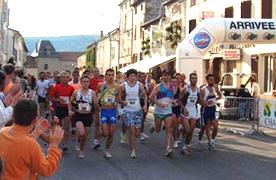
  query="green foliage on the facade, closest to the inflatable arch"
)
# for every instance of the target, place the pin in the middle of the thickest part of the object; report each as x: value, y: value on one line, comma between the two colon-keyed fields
x: 173, y: 34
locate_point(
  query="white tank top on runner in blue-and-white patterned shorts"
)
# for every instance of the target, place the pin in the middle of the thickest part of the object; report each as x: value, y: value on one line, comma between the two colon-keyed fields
x: 132, y: 97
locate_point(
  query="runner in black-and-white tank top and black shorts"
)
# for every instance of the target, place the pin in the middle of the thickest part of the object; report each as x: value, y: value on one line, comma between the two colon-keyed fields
x: 83, y: 100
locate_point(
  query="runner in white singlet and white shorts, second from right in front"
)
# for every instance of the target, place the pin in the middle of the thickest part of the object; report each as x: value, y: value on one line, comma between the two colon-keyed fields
x: 188, y: 100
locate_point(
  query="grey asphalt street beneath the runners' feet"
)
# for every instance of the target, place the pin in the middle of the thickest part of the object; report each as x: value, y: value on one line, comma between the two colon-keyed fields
x: 235, y: 157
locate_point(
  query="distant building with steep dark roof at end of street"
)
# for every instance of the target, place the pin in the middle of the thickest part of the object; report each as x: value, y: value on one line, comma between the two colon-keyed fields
x: 49, y: 60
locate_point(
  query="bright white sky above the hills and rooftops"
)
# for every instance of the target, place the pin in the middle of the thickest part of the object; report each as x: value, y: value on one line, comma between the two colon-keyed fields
x: 40, y: 18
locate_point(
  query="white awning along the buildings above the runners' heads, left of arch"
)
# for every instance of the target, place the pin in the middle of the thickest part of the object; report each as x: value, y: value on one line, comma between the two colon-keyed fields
x: 146, y: 64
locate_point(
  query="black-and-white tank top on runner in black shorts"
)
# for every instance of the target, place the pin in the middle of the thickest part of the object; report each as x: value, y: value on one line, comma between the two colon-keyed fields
x: 84, y: 102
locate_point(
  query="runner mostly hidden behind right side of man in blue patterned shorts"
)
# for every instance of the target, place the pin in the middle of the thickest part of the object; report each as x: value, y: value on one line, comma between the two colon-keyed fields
x: 144, y: 101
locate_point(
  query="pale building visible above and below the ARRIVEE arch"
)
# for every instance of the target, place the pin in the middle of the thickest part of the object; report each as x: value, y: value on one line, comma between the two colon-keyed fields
x: 250, y: 58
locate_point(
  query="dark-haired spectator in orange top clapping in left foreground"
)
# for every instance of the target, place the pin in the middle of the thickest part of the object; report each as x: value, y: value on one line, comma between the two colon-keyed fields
x: 21, y: 153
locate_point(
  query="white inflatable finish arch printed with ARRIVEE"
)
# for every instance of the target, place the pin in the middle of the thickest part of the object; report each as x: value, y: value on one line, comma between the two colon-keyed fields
x: 216, y: 31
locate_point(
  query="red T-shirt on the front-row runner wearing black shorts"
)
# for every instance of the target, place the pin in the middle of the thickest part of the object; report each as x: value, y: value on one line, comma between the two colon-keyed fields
x: 62, y: 91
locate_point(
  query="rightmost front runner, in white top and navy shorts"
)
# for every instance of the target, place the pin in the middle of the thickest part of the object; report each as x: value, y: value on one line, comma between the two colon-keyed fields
x: 208, y: 95
